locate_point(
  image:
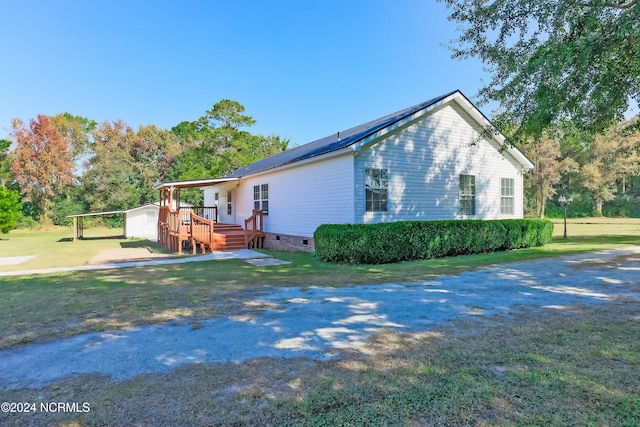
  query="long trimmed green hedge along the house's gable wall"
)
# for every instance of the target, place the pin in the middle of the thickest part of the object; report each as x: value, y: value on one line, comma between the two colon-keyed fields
x: 410, y: 240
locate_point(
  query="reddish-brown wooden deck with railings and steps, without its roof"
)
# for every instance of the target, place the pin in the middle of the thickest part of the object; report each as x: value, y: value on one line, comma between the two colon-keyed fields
x: 185, y: 229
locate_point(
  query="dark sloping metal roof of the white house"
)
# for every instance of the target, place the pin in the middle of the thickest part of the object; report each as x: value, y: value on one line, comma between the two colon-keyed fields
x: 336, y: 141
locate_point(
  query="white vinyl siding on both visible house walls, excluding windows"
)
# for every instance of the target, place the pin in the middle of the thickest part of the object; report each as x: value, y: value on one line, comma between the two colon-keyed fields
x: 423, y: 160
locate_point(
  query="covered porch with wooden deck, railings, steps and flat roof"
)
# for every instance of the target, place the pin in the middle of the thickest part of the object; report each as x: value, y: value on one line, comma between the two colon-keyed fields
x: 197, y: 227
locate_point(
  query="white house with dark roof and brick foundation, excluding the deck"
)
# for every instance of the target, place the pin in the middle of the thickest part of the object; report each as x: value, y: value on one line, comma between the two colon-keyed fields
x: 434, y: 160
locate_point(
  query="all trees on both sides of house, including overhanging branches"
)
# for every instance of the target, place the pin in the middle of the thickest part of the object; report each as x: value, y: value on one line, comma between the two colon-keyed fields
x: 564, y: 73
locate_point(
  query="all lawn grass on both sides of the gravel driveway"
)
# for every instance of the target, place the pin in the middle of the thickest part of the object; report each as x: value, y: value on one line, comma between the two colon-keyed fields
x: 576, y: 366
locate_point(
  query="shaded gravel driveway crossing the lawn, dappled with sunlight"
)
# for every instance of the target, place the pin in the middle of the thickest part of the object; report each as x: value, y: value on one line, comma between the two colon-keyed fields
x: 318, y: 322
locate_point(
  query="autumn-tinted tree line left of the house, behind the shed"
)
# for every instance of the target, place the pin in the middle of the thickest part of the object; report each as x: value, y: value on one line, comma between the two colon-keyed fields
x: 65, y: 164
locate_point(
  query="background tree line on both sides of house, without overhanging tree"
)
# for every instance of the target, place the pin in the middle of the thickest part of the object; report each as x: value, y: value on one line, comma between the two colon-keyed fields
x: 67, y: 164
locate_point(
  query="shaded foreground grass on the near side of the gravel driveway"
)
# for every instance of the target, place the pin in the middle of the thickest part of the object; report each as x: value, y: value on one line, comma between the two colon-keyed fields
x: 576, y: 367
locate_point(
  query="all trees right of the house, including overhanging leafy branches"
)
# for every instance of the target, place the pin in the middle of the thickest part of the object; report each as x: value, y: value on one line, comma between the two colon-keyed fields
x: 564, y: 73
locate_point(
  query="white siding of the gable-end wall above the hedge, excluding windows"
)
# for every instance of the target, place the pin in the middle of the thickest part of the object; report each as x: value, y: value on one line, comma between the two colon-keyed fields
x: 425, y: 159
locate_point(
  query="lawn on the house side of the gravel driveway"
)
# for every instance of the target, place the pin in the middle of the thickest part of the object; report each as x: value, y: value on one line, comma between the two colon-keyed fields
x: 34, y: 308
